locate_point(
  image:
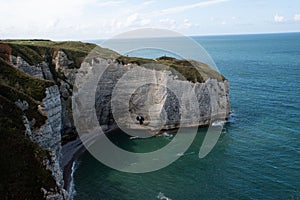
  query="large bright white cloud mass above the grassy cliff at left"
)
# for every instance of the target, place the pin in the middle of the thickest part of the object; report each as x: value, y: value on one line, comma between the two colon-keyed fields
x: 36, y: 18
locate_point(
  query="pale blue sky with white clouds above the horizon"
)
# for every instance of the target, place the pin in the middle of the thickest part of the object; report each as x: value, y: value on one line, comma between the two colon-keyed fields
x: 102, y: 19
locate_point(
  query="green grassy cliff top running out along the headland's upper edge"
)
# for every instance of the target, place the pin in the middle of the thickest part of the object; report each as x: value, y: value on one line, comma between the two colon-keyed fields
x: 33, y: 52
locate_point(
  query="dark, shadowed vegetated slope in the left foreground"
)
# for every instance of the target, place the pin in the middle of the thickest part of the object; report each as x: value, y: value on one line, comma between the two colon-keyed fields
x: 22, y: 170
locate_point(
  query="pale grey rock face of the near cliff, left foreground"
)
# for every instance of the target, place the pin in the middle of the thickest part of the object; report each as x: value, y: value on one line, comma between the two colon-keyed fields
x: 48, y: 136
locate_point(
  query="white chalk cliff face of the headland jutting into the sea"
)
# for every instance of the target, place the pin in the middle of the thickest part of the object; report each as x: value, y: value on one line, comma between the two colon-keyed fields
x: 123, y: 92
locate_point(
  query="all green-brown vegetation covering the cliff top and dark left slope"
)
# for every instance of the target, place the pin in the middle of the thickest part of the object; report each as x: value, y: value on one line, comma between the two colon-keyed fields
x: 22, y: 169
